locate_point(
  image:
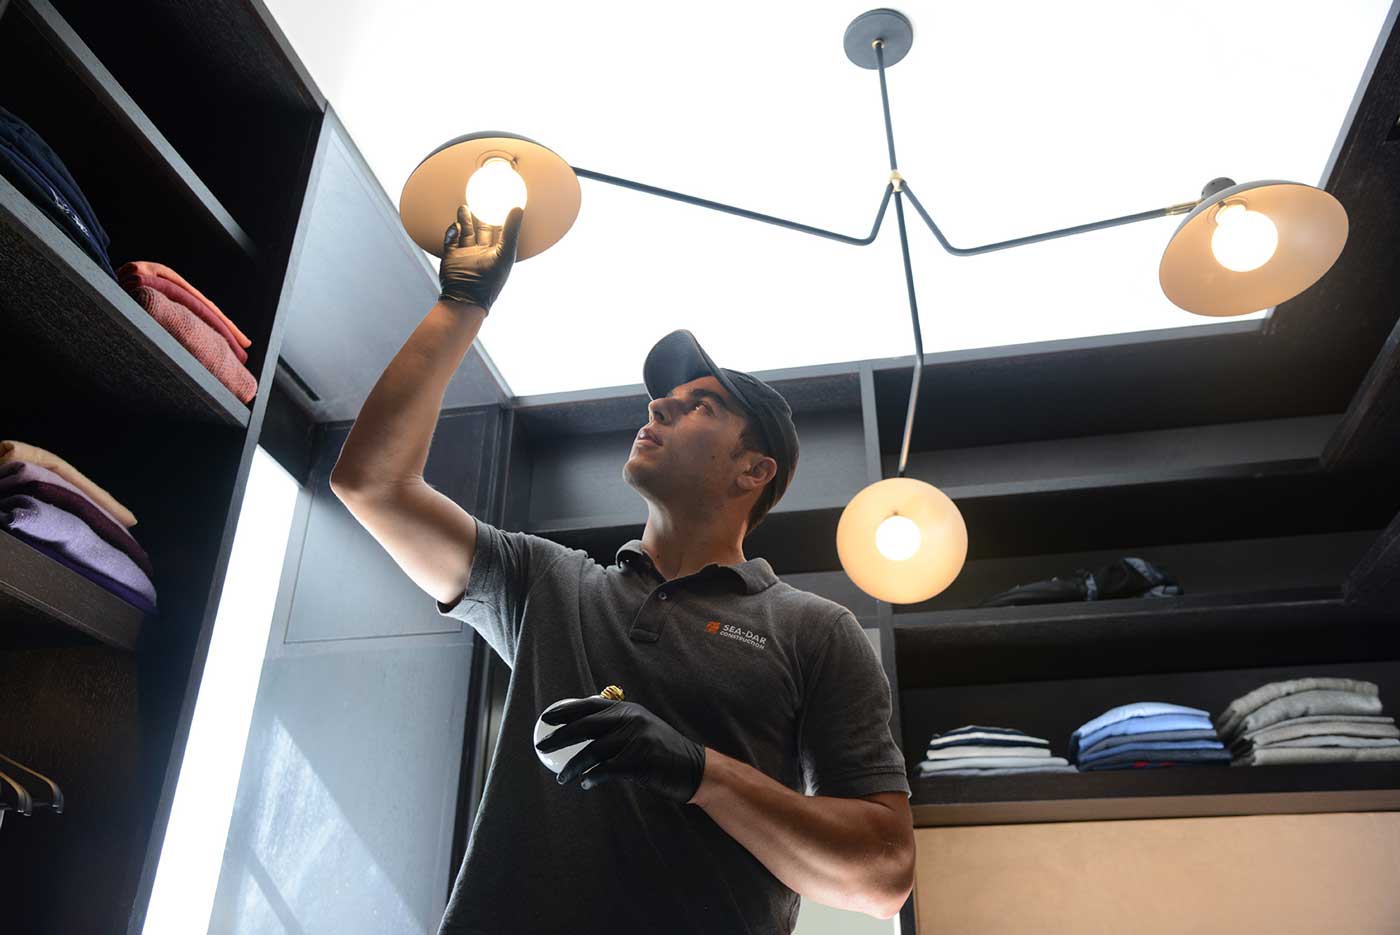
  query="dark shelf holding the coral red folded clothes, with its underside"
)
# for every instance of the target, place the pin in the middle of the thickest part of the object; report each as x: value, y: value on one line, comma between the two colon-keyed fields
x: 57, y: 302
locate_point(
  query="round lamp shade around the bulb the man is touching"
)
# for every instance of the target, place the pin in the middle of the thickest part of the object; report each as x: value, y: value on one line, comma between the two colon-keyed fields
x: 435, y: 191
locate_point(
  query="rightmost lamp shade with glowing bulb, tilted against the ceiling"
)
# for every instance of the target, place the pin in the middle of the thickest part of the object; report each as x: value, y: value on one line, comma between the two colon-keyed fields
x: 1196, y: 274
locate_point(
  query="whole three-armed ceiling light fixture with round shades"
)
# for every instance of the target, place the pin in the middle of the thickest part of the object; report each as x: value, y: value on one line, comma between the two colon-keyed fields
x: 1241, y: 248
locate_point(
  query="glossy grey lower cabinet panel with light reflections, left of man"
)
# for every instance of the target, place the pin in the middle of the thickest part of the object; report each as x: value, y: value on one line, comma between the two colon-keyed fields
x: 346, y: 801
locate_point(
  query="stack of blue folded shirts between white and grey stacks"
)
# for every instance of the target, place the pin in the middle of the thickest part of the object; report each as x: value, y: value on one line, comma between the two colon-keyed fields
x: 1146, y: 736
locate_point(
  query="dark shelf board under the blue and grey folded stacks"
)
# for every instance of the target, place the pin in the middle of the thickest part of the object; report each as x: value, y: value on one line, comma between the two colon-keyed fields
x: 1163, y: 793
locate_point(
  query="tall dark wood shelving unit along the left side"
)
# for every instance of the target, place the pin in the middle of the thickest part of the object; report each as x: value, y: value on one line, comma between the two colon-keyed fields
x: 192, y: 131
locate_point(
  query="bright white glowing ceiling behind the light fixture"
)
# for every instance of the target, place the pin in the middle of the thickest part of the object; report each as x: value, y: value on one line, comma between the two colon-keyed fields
x: 1010, y: 118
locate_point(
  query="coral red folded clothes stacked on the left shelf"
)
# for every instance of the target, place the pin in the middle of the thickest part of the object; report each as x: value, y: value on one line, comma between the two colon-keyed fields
x: 195, y: 323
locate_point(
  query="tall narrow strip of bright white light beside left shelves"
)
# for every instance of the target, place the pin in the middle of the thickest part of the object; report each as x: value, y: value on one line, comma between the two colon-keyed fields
x: 192, y: 855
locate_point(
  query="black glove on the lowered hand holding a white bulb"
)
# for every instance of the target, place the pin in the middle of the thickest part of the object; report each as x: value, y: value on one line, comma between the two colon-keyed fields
x: 629, y: 743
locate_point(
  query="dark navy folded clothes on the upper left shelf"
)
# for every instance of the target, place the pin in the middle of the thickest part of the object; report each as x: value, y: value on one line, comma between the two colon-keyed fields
x: 34, y: 169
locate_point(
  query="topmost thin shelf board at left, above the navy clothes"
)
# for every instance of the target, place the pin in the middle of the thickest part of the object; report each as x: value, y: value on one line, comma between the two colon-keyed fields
x: 134, y: 122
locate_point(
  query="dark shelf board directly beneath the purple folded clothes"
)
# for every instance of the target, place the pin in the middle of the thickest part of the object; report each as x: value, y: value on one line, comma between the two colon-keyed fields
x: 41, y: 600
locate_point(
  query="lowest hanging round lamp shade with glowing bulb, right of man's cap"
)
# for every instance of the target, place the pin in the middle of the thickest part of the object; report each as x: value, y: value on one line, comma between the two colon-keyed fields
x: 902, y: 541
